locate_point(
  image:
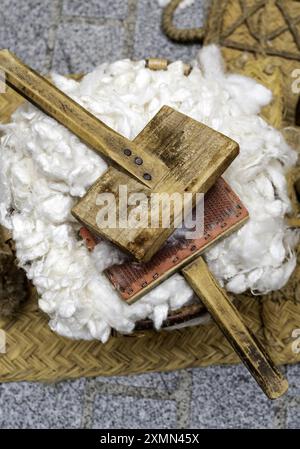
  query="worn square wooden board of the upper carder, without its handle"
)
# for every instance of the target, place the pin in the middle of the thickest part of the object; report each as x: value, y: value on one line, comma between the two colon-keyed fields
x: 195, y: 155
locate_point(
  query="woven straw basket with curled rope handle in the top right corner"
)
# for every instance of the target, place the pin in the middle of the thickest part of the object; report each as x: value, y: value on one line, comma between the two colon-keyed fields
x: 248, y: 30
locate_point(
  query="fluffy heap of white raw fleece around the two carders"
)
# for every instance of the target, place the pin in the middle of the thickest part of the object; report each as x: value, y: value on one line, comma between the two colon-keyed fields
x: 45, y: 169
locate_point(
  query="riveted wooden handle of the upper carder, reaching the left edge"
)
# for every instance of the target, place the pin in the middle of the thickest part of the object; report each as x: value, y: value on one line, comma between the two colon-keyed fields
x: 141, y: 164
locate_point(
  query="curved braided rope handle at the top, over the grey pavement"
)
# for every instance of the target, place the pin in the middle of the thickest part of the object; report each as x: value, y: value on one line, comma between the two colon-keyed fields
x: 177, y: 34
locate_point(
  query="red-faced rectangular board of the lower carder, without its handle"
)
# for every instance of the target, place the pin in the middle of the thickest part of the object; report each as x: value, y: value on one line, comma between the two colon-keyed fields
x: 223, y: 213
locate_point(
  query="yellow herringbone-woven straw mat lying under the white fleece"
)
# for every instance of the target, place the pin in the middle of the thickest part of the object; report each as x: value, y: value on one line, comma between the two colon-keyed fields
x: 35, y: 353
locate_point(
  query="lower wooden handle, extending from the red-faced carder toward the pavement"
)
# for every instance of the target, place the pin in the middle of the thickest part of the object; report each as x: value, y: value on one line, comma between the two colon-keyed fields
x: 228, y: 319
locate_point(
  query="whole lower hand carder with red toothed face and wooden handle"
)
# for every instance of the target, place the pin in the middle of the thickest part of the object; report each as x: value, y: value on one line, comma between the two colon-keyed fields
x: 224, y: 214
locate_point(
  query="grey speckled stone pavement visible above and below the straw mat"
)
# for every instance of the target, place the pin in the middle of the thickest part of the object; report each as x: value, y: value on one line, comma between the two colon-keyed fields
x: 73, y: 36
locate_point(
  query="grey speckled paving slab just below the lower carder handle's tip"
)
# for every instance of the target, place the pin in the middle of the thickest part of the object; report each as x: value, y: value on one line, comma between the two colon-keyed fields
x: 228, y: 397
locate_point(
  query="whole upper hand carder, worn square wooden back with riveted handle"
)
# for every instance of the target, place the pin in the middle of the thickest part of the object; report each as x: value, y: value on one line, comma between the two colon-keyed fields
x: 173, y: 154
